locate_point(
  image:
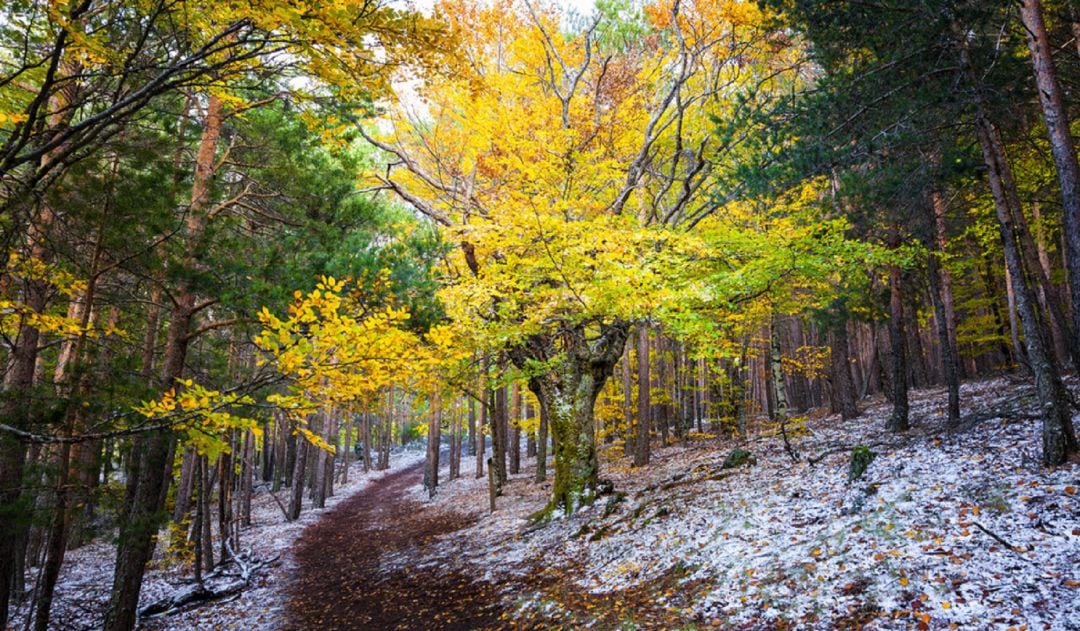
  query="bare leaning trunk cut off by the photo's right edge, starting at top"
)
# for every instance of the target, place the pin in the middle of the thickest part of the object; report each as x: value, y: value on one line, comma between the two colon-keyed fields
x: 1062, y: 146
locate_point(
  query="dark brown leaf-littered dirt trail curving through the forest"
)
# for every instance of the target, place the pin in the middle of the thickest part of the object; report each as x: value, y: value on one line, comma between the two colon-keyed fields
x: 348, y: 578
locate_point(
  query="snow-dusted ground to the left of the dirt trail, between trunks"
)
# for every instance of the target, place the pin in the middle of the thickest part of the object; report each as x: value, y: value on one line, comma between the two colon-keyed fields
x: 84, y: 589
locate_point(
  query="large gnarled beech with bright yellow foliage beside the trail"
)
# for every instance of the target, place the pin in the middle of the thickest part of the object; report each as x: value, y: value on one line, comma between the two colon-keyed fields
x: 563, y: 172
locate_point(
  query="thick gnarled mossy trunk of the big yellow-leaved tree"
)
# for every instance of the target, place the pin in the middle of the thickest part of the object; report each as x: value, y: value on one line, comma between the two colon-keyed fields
x: 576, y: 365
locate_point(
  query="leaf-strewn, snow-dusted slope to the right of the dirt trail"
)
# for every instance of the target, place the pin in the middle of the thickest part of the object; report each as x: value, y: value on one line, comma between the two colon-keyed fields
x: 944, y: 530
